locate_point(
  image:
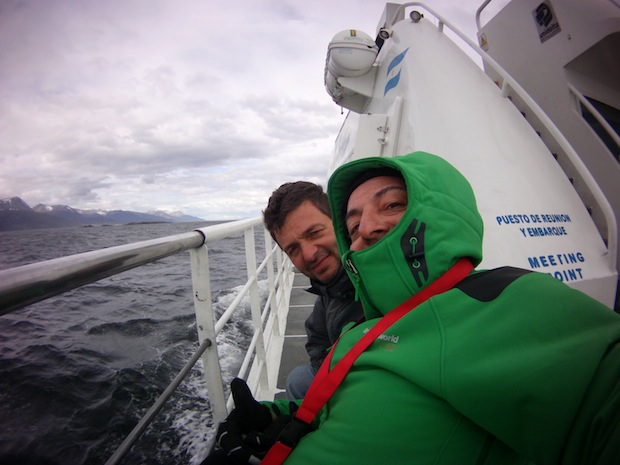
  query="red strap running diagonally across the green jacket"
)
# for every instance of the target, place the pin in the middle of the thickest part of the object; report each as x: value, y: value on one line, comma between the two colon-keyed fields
x: 327, y: 381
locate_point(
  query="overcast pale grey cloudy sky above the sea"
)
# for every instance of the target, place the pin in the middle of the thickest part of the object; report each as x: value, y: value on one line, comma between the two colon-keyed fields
x: 183, y: 105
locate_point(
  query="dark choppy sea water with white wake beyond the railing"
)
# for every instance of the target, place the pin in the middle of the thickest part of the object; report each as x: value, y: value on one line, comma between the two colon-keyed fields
x: 79, y: 370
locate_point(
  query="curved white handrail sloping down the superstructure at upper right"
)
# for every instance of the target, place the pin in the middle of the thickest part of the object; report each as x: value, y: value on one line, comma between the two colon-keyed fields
x: 510, y: 85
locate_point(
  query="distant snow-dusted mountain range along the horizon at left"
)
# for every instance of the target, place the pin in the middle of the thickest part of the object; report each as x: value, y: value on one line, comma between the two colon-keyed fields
x: 15, y: 214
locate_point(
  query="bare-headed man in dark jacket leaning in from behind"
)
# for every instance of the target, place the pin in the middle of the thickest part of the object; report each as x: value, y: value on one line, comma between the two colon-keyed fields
x: 299, y: 220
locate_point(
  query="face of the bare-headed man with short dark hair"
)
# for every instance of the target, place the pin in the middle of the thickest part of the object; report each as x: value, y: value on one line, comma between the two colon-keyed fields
x: 307, y: 237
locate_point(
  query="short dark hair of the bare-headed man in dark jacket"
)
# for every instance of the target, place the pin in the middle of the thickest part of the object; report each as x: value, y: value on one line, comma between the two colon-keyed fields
x: 287, y: 198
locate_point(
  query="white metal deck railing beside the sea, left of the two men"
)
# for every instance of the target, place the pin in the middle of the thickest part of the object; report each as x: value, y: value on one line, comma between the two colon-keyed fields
x: 24, y: 285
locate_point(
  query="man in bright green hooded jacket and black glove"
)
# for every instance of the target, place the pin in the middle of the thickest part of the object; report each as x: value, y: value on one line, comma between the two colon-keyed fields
x: 506, y: 366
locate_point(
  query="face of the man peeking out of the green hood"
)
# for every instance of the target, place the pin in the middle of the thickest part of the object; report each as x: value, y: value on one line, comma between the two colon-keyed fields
x: 374, y: 209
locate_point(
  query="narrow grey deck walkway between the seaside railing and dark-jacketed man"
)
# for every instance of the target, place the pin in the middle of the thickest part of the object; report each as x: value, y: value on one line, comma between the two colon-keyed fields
x: 294, y: 351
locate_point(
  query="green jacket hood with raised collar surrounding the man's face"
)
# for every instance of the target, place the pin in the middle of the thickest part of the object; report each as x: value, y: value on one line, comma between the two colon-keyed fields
x: 441, y: 225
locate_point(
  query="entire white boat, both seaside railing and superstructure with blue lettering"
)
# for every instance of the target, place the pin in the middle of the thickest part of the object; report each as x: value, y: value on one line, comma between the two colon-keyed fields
x: 529, y: 115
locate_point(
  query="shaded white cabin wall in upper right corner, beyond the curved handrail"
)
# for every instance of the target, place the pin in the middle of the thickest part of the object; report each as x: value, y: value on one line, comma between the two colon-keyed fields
x: 585, y: 57
